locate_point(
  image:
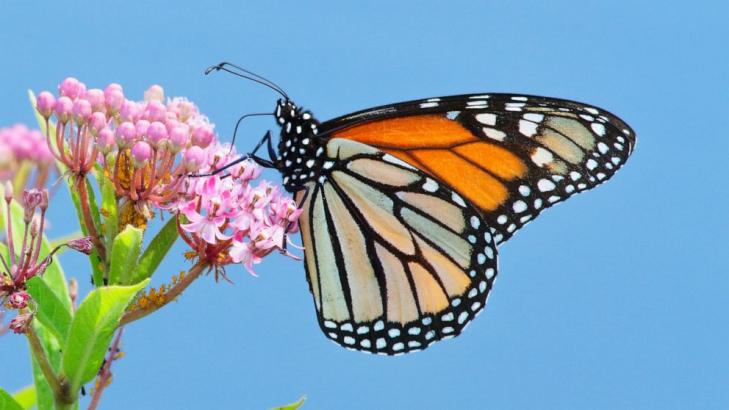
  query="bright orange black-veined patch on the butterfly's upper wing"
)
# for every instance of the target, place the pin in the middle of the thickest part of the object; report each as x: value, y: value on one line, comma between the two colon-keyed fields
x: 448, y: 151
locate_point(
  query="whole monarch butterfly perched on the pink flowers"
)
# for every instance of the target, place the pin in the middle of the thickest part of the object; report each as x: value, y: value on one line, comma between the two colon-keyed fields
x: 405, y: 204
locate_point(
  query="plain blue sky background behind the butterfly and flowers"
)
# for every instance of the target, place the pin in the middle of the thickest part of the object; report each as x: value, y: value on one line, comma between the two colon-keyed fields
x: 615, y: 299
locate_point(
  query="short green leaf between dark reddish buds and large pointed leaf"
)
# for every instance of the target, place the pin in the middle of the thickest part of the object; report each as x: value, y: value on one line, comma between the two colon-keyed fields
x: 51, y: 311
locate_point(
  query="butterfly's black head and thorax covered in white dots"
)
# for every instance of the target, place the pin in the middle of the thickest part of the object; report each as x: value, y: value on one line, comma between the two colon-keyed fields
x: 300, y: 150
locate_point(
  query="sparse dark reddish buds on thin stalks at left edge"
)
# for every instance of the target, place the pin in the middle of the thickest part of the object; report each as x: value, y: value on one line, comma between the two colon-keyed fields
x: 24, y: 260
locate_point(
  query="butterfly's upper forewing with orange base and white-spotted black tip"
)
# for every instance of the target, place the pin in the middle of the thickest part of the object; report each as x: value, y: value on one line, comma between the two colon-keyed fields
x: 510, y: 156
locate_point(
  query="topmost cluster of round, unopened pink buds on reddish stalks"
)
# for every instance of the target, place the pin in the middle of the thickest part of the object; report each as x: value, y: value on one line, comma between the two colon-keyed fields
x: 139, y: 143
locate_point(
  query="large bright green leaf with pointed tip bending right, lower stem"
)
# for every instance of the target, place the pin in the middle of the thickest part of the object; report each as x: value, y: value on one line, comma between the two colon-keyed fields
x: 92, y: 329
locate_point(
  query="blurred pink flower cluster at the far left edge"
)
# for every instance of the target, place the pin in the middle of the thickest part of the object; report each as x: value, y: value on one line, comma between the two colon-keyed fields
x: 19, y: 145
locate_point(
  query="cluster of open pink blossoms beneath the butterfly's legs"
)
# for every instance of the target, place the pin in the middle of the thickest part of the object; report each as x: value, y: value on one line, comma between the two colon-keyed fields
x: 228, y: 219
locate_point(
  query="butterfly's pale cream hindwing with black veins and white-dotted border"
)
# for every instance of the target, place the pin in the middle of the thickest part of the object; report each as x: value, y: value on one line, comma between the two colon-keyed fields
x: 395, y: 260
